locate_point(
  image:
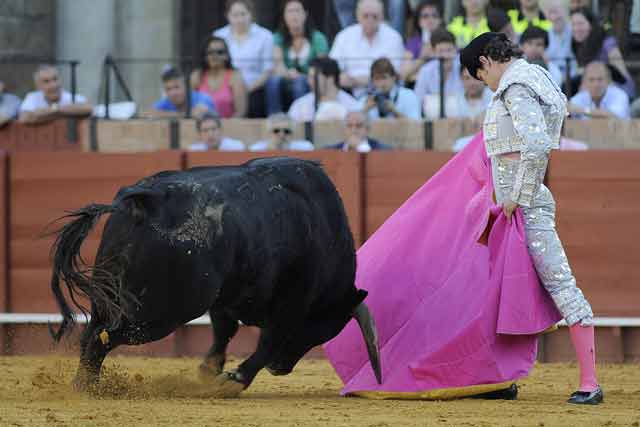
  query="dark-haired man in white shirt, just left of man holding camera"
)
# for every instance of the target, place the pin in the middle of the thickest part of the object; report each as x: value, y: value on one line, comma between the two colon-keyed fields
x: 327, y: 72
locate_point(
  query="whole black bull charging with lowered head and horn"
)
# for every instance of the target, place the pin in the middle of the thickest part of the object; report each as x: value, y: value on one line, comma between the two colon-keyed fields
x: 266, y: 243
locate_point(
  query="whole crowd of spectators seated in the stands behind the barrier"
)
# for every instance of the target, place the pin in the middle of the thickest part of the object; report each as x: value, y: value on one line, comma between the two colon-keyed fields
x: 373, y: 69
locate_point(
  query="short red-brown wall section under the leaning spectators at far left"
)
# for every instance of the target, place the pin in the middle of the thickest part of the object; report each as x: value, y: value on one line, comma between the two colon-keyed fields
x: 58, y: 135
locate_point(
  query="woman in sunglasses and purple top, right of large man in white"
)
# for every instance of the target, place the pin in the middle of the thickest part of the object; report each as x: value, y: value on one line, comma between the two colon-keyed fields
x: 419, y: 50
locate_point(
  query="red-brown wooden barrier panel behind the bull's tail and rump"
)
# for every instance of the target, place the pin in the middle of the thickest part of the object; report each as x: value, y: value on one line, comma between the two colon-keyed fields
x: 45, y: 185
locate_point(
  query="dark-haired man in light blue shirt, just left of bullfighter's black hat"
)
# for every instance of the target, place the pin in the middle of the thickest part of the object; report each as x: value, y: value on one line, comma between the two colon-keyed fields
x: 428, y: 82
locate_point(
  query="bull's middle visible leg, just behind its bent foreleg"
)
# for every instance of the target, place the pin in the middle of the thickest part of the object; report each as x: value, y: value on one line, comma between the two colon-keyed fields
x: 224, y: 328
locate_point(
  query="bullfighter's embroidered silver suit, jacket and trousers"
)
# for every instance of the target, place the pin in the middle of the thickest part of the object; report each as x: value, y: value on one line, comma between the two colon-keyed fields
x: 526, y: 116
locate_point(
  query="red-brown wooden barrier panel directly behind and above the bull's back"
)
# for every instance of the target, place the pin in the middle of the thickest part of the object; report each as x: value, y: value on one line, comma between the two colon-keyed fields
x: 344, y: 169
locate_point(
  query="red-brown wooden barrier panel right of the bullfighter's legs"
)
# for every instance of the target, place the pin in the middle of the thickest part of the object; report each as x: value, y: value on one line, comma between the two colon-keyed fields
x: 598, y: 222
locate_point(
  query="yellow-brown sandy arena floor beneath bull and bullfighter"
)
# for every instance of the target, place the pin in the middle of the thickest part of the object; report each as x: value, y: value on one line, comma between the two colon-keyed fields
x: 144, y: 391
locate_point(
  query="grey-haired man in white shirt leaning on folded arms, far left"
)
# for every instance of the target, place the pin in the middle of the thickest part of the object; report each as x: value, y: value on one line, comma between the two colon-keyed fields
x: 50, y: 101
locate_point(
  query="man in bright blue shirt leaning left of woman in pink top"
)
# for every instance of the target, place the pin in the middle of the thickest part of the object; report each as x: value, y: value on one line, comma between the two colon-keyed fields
x: 174, y: 103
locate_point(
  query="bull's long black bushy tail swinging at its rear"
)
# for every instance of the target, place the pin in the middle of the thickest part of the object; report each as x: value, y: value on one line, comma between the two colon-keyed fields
x: 101, y: 287
